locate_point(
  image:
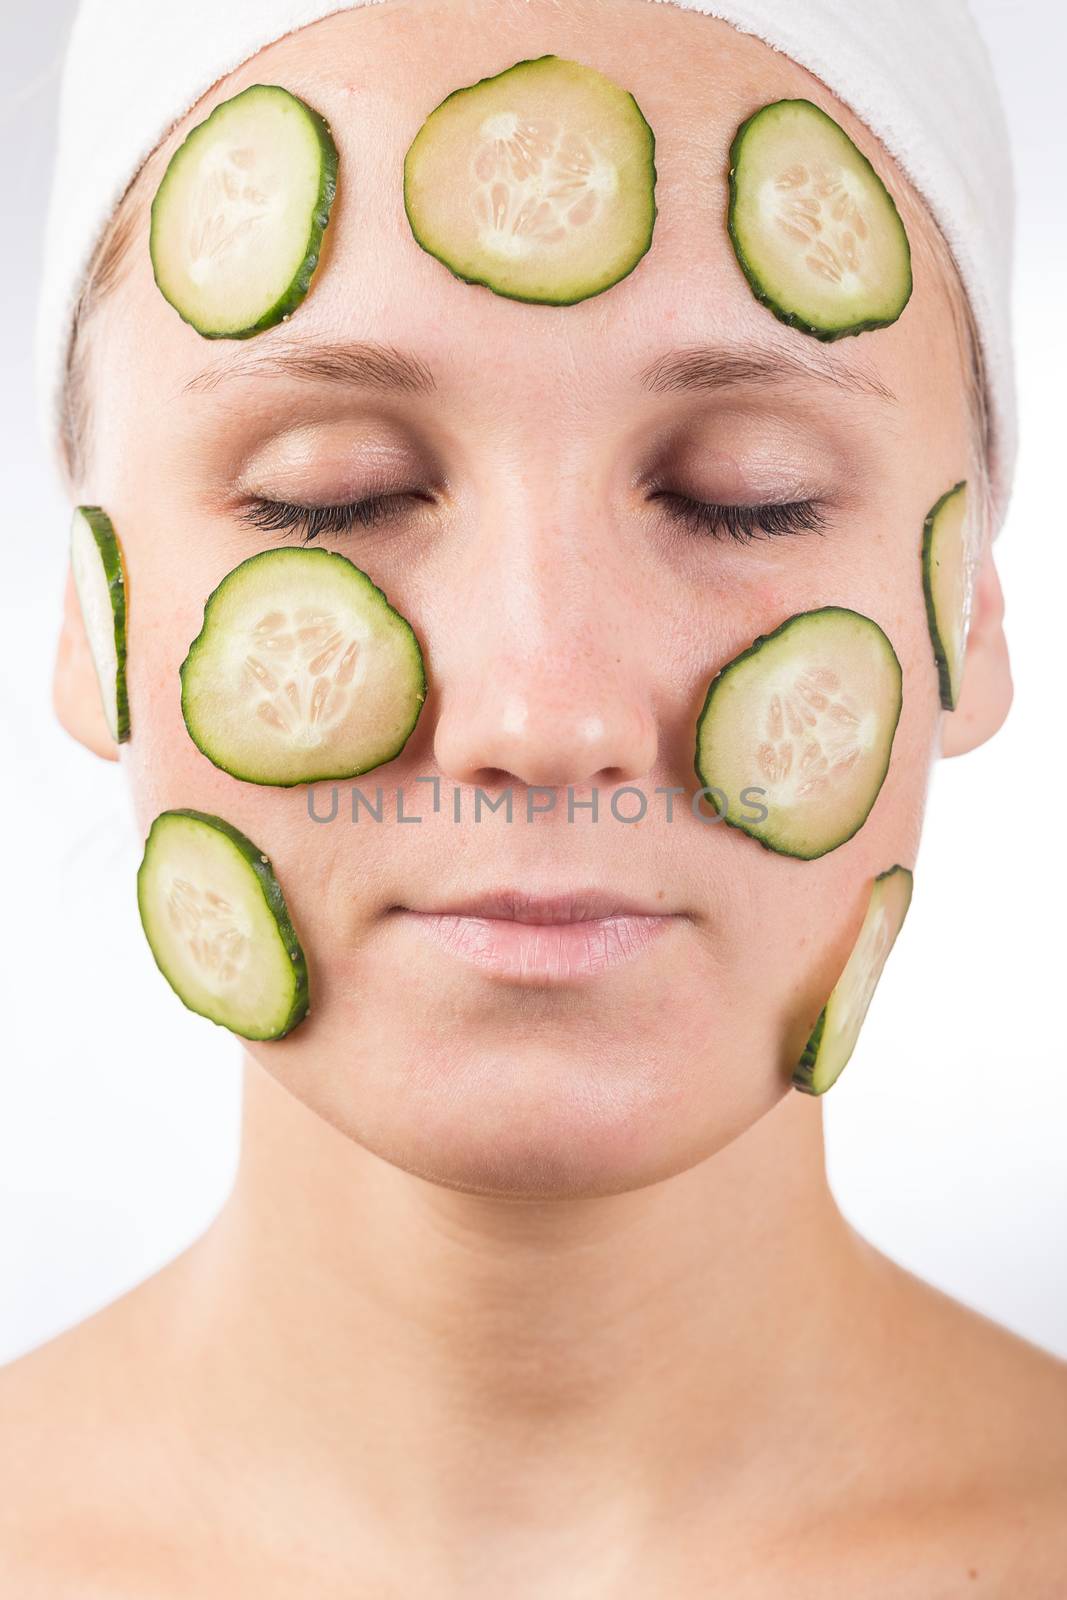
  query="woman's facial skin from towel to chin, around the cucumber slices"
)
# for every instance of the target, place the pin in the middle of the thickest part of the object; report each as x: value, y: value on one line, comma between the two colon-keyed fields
x: 570, y: 626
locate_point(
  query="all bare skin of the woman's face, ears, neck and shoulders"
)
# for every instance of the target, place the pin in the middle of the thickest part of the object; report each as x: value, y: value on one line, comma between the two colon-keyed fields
x: 535, y: 1292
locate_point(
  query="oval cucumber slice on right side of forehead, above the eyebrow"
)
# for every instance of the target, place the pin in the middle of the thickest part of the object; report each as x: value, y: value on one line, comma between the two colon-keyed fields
x: 813, y: 226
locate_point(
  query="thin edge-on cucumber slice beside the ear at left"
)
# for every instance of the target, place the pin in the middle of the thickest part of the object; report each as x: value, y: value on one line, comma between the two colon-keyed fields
x: 100, y: 580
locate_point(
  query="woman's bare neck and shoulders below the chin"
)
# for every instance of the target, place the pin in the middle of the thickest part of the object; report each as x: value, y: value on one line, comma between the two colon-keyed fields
x: 713, y: 1386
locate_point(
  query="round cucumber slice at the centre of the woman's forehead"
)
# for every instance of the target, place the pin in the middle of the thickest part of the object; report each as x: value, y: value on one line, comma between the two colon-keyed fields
x: 537, y: 183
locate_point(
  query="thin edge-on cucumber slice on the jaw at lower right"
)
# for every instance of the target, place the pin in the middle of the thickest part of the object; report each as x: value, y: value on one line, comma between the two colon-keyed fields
x: 834, y: 1036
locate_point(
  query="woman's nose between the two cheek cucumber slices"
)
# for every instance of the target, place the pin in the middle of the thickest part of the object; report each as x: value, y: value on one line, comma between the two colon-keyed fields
x: 548, y: 678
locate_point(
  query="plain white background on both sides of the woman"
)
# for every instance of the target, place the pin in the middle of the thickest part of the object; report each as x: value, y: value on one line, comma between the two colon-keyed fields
x: 948, y: 1135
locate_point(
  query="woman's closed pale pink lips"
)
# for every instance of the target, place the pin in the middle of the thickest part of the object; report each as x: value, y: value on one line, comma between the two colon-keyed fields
x: 567, y: 937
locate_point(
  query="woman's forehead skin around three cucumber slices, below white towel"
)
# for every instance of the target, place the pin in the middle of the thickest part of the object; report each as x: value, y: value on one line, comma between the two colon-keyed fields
x: 378, y: 71
